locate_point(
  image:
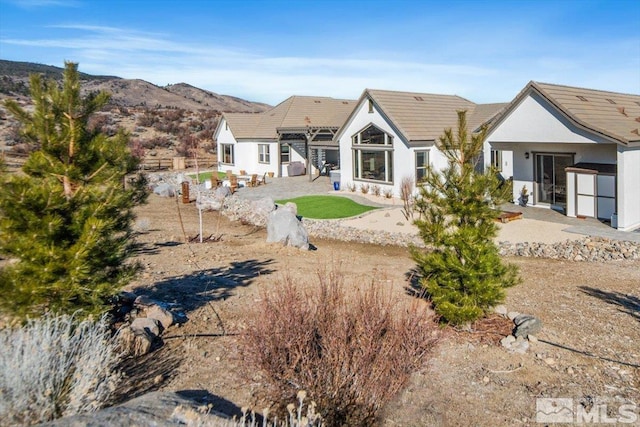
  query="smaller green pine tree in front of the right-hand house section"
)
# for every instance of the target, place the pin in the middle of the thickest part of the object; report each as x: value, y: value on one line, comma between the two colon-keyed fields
x: 461, y: 270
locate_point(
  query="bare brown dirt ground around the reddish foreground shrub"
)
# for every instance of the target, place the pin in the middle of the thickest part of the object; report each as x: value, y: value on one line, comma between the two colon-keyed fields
x: 588, y: 350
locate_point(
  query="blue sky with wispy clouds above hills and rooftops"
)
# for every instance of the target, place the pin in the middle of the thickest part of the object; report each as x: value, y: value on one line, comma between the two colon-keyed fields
x: 485, y: 51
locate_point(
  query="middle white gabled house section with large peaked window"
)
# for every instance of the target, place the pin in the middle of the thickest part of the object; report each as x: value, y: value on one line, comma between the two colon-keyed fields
x: 390, y: 136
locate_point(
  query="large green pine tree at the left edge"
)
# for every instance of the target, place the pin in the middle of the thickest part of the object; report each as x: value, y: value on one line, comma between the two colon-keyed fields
x: 65, y: 221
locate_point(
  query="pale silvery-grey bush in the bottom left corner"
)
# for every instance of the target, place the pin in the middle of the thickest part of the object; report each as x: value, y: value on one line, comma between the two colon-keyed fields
x: 55, y: 366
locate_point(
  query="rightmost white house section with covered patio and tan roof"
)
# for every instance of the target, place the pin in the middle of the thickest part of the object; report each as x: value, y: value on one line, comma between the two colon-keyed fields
x: 576, y: 150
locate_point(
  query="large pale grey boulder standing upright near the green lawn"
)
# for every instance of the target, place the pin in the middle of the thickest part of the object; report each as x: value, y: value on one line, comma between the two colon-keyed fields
x: 283, y: 226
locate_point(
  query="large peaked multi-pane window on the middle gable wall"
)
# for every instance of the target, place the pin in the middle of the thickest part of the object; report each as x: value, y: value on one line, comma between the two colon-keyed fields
x: 373, y: 155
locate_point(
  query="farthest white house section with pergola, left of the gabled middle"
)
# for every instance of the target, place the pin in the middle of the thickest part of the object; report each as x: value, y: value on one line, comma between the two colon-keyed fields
x: 297, y: 132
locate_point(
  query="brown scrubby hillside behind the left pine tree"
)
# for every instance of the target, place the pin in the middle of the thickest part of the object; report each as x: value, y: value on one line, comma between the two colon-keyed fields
x: 162, y: 121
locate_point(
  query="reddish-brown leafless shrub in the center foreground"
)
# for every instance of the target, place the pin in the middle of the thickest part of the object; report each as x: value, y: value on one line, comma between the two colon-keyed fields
x: 352, y: 352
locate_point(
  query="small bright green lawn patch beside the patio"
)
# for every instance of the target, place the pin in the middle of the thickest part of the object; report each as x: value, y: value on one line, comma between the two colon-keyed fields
x: 326, y: 207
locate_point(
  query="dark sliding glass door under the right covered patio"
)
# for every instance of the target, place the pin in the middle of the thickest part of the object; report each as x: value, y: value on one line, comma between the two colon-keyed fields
x: 551, y: 178
